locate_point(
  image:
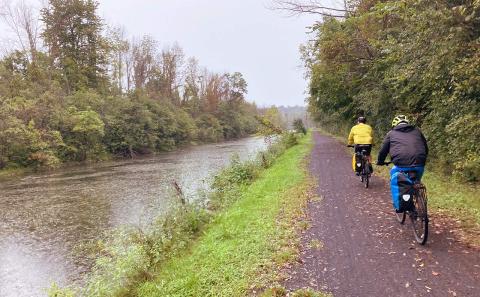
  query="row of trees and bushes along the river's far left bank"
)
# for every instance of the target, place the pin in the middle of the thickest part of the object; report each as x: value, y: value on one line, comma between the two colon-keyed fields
x: 74, y: 90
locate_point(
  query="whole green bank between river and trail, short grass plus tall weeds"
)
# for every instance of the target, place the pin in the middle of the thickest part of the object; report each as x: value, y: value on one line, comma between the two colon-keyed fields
x: 224, y: 244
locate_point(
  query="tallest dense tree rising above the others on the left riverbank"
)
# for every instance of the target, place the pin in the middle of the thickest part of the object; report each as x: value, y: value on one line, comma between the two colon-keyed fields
x: 75, y: 43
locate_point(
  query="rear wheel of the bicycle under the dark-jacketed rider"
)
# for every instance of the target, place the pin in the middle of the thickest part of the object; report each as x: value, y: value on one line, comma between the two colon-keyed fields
x: 419, y: 215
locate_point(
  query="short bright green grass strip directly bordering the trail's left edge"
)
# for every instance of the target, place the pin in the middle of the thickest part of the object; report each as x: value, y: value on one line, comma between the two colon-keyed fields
x: 242, y: 244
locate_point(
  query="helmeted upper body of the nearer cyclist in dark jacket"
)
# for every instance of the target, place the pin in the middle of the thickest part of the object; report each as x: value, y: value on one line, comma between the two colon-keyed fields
x: 407, y: 147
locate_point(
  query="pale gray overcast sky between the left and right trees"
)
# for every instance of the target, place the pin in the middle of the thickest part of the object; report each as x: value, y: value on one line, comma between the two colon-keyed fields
x: 226, y: 36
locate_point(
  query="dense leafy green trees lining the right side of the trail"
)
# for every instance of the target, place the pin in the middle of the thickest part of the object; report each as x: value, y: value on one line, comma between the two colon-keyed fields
x: 416, y: 57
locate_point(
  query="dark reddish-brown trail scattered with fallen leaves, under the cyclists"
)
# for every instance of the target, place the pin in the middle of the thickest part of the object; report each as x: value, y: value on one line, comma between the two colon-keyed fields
x: 366, y: 252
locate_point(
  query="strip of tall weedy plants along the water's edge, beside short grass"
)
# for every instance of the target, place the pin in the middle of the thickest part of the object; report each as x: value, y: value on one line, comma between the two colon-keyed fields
x: 128, y: 257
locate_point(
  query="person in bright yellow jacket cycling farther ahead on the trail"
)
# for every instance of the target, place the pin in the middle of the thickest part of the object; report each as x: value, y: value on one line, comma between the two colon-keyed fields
x: 362, y: 136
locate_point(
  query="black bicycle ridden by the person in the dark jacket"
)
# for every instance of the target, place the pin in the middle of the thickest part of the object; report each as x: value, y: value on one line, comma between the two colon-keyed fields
x: 419, y: 213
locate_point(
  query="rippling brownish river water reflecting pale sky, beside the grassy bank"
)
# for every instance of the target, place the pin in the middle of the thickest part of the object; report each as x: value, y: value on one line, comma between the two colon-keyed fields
x: 44, y: 218
